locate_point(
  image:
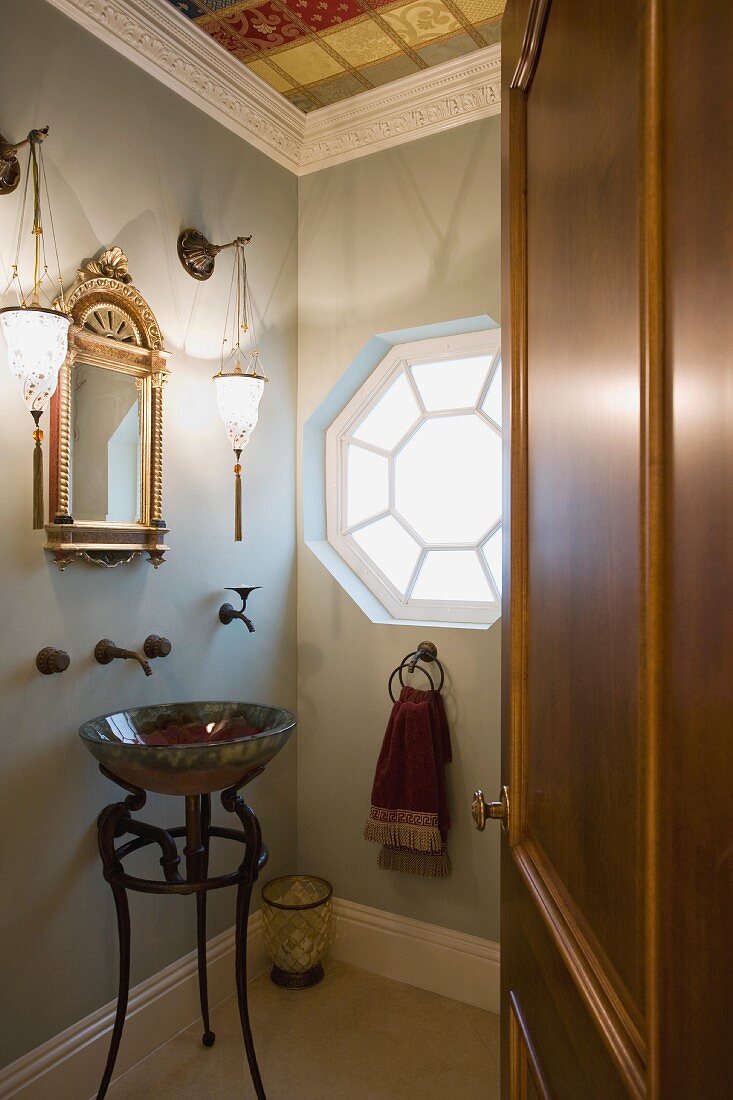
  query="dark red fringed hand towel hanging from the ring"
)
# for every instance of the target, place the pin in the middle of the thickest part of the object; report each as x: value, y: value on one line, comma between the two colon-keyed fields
x: 410, y: 812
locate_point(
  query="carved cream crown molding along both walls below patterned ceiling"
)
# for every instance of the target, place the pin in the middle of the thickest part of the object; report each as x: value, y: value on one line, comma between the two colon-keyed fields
x: 168, y: 46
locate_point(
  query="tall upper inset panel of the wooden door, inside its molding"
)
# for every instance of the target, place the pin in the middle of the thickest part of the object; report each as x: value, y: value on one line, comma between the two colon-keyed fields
x: 584, y: 807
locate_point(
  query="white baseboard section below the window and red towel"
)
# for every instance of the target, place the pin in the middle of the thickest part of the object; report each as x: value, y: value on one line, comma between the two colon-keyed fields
x: 453, y: 964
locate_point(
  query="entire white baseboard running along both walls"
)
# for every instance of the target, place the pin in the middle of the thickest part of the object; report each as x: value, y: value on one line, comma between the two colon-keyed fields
x: 69, y: 1068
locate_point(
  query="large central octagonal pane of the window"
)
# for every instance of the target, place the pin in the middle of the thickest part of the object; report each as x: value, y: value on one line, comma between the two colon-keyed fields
x: 448, y: 480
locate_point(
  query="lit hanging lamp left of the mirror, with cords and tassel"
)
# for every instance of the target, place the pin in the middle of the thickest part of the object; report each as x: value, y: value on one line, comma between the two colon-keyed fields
x: 37, y: 336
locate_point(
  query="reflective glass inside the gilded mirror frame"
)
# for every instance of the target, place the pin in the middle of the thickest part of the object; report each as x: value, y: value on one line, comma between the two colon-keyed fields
x: 106, y: 453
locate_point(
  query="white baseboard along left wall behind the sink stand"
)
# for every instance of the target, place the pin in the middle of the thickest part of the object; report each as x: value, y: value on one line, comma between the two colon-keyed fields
x: 70, y: 1066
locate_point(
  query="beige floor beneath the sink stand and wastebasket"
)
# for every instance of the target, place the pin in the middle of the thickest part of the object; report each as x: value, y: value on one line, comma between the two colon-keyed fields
x: 357, y: 1037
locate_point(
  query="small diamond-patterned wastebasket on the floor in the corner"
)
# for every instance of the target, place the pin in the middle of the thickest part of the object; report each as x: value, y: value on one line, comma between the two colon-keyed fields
x: 297, y: 915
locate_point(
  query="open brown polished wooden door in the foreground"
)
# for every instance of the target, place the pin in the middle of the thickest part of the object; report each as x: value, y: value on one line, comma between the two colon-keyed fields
x: 617, y: 868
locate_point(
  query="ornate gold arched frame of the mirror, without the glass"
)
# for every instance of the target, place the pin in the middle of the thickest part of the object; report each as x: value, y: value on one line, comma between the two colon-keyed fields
x: 115, y: 328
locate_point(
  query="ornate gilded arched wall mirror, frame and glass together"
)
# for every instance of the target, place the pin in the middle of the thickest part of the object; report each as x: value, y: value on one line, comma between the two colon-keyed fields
x: 107, y: 424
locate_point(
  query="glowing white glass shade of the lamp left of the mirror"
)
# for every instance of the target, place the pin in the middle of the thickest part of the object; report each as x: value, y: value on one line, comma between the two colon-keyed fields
x: 38, y: 343
